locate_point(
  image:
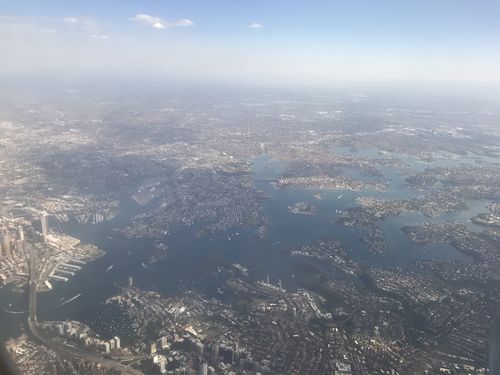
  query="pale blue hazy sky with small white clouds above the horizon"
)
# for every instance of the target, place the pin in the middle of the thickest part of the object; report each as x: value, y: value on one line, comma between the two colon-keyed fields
x: 257, y: 41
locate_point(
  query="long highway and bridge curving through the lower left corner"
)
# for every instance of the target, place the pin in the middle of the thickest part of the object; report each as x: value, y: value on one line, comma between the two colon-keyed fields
x: 58, y: 347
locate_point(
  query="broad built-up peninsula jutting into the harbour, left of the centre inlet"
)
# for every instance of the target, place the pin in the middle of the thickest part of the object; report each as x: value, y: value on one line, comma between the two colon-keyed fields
x: 227, y: 200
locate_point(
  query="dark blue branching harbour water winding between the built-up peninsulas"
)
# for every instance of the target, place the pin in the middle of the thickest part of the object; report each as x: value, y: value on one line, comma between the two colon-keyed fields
x: 189, y: 257
